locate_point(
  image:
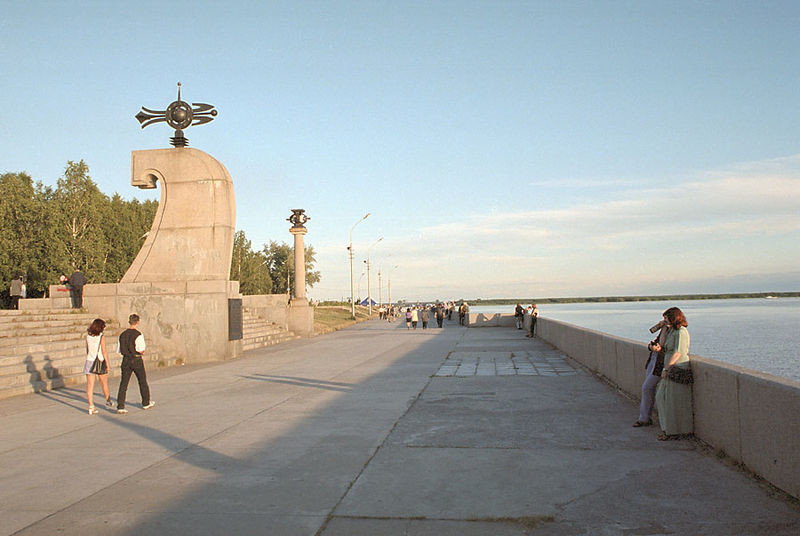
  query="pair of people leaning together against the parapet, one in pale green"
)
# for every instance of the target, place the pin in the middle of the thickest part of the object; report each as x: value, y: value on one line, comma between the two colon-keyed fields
x: 668, y: 379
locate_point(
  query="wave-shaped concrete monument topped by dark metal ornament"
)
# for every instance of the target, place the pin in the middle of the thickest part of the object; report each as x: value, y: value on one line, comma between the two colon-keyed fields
x: 178, y: 283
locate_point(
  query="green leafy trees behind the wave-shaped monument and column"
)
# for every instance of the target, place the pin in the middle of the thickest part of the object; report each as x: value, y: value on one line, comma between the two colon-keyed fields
x: 46, y: 232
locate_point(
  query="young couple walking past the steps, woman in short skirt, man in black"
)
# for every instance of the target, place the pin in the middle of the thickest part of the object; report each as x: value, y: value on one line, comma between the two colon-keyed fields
x: 132, y: 346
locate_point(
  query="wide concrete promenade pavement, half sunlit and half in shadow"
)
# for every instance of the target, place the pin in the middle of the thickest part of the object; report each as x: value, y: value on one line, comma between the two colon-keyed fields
x: 372, y: 430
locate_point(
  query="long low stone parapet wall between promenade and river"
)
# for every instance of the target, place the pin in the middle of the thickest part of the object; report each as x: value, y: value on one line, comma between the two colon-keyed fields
x: 751, y: 416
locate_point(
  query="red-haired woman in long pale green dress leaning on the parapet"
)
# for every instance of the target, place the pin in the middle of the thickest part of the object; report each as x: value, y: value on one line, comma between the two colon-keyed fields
x: 674, y: 393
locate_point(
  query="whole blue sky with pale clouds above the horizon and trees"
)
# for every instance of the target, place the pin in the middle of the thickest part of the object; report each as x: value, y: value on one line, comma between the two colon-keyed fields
x: 503, y: 149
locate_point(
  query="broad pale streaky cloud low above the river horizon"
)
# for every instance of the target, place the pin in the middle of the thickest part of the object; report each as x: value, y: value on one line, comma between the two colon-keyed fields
x: 716, y: 226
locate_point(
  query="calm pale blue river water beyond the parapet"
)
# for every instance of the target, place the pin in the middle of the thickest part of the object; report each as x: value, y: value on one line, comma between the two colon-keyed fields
x: 759, y: 334
